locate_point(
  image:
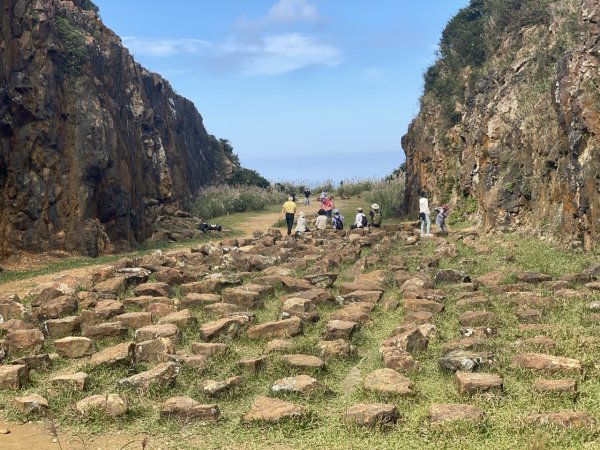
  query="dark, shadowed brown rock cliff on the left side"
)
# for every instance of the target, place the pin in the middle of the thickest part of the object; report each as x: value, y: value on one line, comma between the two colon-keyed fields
x: 90, y: 141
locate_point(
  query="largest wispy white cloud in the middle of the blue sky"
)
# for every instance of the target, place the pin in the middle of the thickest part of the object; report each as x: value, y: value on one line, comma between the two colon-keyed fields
x: 286, y: 52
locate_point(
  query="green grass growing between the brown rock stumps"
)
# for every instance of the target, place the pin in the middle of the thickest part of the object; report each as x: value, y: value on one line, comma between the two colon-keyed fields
x: 503, y: 427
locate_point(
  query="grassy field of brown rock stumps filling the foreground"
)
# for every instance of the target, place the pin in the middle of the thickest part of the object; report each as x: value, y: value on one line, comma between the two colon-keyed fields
x: 362, y: 339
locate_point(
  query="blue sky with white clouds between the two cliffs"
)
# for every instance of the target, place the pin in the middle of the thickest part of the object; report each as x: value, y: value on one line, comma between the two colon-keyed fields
x: 305, y: 90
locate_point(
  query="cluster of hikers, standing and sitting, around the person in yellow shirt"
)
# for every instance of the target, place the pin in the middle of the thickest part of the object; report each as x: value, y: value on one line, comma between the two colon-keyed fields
x: 327, y: 216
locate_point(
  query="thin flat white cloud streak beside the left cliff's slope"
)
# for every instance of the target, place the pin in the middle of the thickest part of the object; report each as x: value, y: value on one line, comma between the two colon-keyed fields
x: 164, y: 47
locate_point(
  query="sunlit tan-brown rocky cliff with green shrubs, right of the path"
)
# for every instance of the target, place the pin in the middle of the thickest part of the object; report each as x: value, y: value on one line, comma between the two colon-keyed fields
x: 510, y: 119
